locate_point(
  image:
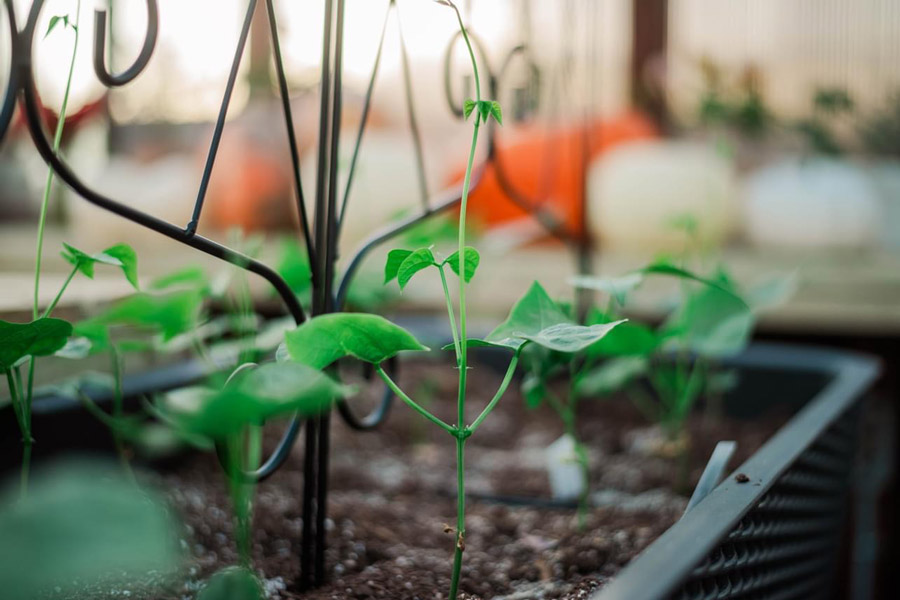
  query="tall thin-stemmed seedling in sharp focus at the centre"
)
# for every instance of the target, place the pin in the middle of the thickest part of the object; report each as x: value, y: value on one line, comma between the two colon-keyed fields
x: 325, y: 339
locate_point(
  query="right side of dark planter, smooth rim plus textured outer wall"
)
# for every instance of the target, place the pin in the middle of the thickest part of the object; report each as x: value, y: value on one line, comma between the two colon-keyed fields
x: 778, y: 533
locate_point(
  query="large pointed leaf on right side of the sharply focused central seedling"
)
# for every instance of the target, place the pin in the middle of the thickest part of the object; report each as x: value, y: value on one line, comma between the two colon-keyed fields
x: 538, y: 319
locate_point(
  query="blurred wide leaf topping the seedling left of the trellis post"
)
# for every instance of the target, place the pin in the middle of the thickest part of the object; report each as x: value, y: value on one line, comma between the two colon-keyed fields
x: 253, y: 397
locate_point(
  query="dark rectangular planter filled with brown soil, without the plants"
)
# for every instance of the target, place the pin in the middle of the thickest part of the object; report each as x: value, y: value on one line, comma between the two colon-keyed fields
x: 392, y: 491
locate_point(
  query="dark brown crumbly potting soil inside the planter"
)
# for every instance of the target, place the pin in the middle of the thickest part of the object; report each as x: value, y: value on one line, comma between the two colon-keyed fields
x: 393, y: 490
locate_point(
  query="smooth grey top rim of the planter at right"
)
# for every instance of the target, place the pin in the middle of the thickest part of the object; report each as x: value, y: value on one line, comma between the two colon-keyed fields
x: 669, y: 561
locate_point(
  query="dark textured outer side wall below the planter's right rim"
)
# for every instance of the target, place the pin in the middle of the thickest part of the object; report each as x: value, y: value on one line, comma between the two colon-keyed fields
x: 788, y: 544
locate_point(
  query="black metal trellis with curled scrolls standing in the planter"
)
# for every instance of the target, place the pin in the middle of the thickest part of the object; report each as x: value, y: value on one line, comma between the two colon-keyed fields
x: 321, y: 237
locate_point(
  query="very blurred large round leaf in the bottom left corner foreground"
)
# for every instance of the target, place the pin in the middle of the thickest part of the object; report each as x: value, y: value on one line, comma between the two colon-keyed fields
x: 83, y: 522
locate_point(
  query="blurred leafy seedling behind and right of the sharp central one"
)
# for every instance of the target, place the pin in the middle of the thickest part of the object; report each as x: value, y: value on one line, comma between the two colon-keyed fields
x: 678, y: 359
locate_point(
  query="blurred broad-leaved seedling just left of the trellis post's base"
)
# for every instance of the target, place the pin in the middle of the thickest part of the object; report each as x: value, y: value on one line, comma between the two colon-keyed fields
x: 230, y: 416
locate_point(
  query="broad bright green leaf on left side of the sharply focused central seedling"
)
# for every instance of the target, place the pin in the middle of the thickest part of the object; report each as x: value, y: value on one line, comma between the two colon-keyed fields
x: 327, y: 338
